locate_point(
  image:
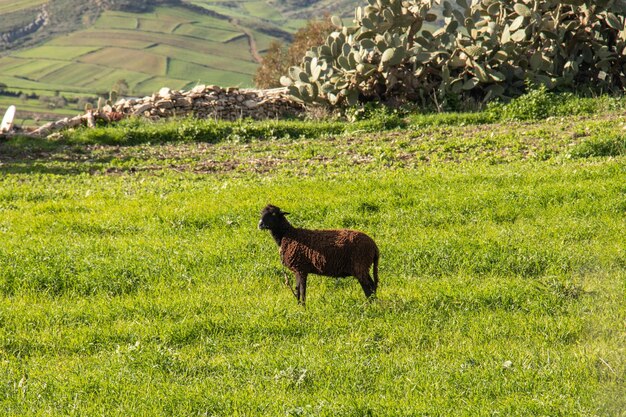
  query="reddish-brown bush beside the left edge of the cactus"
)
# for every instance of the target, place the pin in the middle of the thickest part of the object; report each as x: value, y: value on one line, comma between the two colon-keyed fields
x: 279, y: 58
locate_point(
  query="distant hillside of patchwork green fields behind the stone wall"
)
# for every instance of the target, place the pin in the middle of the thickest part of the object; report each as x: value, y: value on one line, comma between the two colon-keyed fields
x: 89, y: 50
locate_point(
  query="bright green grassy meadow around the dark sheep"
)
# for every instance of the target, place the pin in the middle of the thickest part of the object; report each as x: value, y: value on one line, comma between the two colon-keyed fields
x: 134, y: 281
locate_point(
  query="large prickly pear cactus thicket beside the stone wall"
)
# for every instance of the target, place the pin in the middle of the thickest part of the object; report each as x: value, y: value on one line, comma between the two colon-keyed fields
x: 482, y: 50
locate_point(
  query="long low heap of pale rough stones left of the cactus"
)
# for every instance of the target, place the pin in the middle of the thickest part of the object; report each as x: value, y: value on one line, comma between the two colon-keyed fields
x: 201, y: 102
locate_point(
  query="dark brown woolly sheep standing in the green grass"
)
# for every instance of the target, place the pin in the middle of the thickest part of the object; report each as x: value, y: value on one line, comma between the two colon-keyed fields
x: 333, y: 253
